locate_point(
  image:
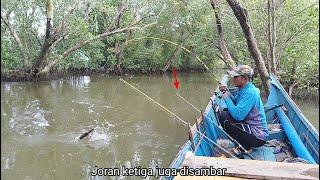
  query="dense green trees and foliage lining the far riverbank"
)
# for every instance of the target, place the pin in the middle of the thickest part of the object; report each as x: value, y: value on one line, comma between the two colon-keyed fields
x: 111, y: 36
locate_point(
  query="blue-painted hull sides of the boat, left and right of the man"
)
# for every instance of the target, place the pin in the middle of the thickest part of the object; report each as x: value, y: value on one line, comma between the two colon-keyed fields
x: 297, y: 131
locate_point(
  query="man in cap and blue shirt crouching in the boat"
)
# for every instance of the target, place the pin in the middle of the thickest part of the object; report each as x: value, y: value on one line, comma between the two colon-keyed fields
x: 244, y: 118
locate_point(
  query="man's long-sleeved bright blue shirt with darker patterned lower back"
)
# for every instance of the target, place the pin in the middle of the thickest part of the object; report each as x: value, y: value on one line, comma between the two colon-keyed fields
x: 246, y: 107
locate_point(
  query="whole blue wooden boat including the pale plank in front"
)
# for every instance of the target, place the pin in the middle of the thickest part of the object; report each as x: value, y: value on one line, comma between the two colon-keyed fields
x: 291, y: 152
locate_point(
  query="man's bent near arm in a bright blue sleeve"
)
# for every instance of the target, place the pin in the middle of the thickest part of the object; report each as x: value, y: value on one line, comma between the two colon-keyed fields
x: 244, y: 106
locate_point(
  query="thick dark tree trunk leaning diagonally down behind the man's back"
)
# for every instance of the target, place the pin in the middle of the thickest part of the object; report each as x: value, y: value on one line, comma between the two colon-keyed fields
x: 242, y: 16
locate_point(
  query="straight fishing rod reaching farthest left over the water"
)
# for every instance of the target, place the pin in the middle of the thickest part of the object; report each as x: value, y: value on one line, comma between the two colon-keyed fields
x: 177, y: 117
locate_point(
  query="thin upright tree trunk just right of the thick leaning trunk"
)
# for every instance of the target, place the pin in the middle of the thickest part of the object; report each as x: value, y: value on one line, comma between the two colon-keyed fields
x: 271, y: 37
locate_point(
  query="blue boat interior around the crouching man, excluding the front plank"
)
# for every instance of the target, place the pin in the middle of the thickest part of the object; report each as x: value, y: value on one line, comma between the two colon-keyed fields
x: 286, y: 125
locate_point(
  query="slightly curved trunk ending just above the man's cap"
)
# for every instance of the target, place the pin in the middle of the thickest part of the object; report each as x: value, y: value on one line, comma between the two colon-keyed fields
x: 221, y: 41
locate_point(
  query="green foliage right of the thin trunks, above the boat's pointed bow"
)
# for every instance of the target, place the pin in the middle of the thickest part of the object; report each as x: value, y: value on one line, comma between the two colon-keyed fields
x: 301, y: 36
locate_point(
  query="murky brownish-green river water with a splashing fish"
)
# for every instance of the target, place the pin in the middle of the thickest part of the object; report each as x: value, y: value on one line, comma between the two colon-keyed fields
x: 41, y: 123
